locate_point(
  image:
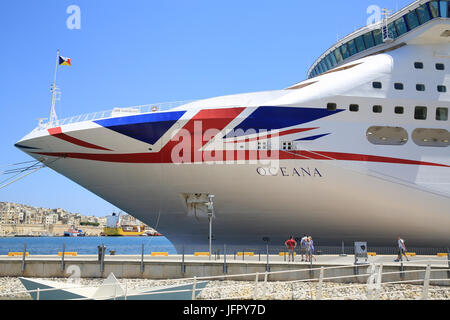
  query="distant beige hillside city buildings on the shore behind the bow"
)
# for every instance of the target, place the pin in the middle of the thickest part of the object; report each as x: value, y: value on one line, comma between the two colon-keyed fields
x: 24, y: 220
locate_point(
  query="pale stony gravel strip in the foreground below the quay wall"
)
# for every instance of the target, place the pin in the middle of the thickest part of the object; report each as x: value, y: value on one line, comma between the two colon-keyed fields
x: 10, y: 288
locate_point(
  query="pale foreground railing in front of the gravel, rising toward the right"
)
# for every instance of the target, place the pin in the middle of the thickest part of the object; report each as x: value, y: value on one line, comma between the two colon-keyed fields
x: 258, y: 290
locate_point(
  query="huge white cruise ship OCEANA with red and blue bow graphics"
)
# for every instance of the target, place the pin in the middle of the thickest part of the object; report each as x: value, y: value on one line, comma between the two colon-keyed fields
x: 359, y: 151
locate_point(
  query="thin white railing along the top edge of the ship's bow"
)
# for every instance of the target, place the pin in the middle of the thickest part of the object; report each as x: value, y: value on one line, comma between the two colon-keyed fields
x: 117, y: 111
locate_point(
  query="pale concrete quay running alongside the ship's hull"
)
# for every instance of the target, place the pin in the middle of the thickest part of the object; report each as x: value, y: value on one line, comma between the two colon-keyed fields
x: 172, y: 267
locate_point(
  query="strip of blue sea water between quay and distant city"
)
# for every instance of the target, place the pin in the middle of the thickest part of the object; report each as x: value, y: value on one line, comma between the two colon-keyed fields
x: 85, y: 245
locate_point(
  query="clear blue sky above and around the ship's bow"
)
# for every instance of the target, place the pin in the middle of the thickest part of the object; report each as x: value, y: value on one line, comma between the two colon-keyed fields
x: 143, y: 51
